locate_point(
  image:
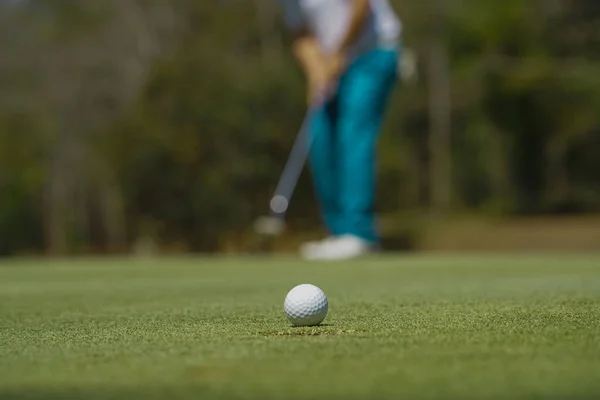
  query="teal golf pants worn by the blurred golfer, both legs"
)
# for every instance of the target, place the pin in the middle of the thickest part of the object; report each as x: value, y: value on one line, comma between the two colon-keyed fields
x: 345, y: 135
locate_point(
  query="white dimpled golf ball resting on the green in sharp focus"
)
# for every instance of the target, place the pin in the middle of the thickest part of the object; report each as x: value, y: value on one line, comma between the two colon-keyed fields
x: 306, y: 305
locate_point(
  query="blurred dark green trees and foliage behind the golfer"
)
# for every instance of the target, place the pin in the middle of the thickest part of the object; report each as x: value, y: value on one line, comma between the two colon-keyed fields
x: 126, y: 119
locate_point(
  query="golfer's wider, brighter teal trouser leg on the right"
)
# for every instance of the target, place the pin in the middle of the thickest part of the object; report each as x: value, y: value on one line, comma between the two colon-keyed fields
x: 364, y: 93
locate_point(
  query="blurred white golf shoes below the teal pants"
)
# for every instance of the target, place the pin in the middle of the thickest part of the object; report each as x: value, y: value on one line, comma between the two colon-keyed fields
x: 339, y: 248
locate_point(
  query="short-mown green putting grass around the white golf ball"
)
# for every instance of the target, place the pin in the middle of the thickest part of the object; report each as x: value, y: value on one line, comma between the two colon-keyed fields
x: 399, y: 327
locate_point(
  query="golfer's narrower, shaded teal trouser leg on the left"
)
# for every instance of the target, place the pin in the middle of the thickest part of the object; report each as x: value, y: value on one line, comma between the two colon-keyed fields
x: 322, y: 162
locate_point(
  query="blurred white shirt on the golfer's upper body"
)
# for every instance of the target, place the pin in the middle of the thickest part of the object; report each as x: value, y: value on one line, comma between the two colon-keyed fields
x: 329, y: 20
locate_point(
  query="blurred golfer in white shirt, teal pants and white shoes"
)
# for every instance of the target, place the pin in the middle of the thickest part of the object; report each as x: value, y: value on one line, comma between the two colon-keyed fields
x: 349, y: 51
